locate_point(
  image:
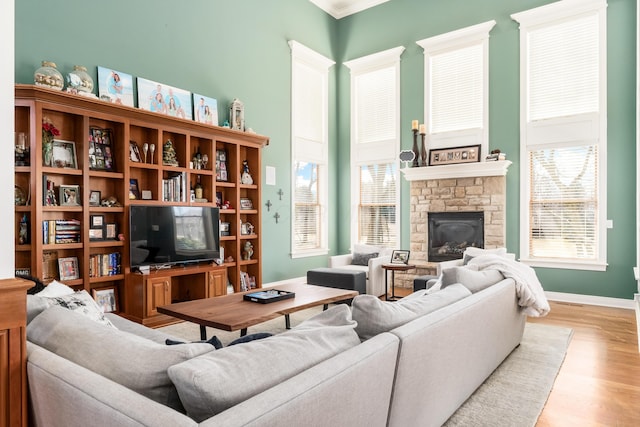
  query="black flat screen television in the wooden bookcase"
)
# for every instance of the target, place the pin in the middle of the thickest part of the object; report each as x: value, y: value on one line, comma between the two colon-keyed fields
x: 170, y: 235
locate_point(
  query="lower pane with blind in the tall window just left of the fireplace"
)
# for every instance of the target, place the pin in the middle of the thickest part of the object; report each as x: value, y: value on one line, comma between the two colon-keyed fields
x: 377, y: 207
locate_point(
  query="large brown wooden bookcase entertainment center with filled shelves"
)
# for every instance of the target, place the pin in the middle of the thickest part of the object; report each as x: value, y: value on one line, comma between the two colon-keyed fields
x: 95, y: 255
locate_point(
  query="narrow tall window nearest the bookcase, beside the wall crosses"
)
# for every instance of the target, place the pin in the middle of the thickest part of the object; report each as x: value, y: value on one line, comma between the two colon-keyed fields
x: 309, y: 107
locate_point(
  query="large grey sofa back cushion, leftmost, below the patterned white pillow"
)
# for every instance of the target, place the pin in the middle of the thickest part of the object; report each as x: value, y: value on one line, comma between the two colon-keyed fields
x: 134, y: 362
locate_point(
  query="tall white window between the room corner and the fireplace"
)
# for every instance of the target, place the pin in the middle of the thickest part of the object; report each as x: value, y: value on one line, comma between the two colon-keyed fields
x: 375, y: 143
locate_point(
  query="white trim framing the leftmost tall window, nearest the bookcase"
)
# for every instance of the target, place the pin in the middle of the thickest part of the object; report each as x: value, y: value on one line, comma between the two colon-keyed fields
x: 301, y: 54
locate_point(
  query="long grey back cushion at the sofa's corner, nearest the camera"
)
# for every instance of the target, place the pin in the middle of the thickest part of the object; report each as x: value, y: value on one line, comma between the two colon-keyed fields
x: 213, y: 382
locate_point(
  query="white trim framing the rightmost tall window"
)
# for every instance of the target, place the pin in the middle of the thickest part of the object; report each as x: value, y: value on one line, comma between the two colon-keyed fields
x: 532, y: 19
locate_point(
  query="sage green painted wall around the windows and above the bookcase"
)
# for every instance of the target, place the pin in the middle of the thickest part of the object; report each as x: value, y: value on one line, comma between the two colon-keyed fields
x: 239, y: 49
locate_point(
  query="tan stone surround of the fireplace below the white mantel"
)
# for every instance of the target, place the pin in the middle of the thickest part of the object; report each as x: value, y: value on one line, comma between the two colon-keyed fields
x: 486, y: 194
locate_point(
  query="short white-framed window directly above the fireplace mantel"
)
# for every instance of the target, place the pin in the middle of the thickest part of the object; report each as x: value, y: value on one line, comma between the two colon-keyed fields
x: 456, y: 87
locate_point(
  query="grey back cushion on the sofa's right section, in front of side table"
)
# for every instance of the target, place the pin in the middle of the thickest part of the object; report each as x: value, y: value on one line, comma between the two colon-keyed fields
x: 375, y: 316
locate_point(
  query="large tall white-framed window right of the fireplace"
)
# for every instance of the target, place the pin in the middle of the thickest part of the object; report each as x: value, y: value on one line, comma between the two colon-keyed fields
x: 563, y: 134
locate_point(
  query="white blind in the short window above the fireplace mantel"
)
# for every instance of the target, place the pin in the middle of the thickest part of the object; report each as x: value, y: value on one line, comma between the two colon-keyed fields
x: 457, y: 95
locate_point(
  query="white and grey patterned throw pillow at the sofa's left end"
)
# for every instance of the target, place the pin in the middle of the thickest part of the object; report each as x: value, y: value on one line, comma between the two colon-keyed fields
x: 80, y: 302
